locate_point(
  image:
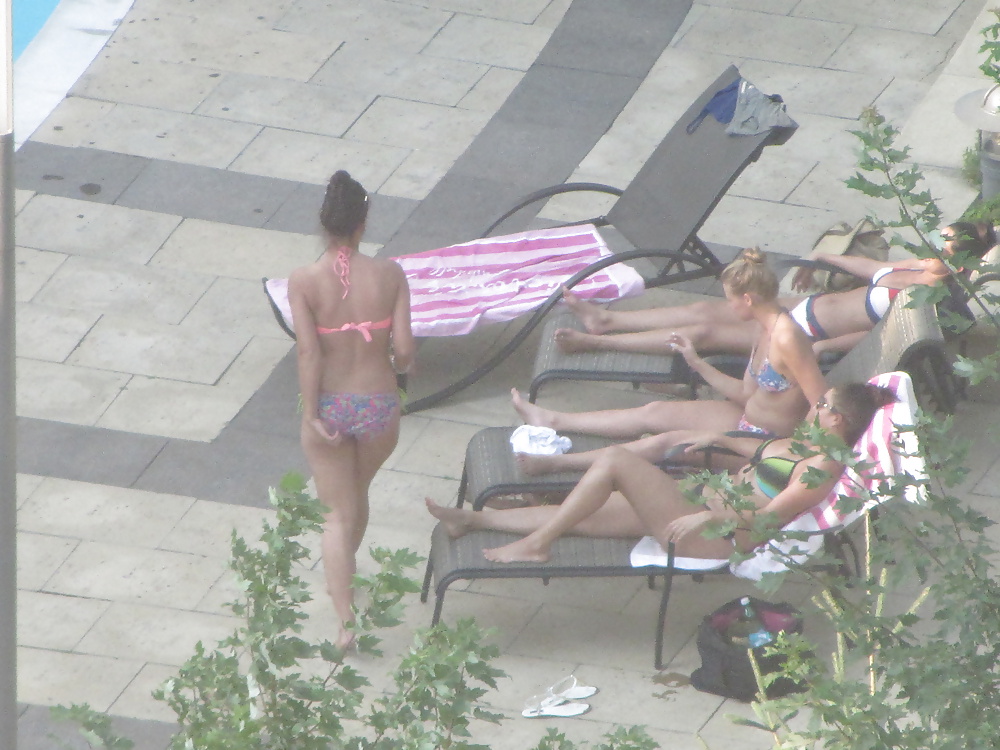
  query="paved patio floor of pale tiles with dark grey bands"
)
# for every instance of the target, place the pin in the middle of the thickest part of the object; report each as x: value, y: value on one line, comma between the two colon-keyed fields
x: 156, y: 395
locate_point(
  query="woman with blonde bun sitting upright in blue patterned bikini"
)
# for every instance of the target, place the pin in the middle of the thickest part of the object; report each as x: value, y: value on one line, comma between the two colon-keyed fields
x: 781, y: 380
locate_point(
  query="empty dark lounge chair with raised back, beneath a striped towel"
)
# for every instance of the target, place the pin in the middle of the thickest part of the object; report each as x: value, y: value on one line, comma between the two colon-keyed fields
x: 659, y: 213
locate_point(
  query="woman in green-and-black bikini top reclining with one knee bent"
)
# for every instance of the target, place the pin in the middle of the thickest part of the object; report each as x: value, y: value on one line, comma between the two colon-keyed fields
x: 623, y: 495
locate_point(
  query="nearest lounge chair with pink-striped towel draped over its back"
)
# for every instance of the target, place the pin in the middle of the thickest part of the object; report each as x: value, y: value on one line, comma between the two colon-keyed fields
x: 451, y: 560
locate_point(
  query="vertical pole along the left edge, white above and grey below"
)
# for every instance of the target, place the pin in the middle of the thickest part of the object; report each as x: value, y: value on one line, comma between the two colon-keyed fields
x: 8, y: 413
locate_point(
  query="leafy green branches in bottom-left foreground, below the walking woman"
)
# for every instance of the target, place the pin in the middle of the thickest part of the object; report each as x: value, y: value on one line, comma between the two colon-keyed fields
x: 266, y: 687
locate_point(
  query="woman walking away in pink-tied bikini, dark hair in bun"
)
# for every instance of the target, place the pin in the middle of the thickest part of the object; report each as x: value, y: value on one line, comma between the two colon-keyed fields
x: 352, y: 320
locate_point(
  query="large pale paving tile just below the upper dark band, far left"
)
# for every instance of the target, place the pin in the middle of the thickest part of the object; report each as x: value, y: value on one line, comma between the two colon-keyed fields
x: 93, y: 229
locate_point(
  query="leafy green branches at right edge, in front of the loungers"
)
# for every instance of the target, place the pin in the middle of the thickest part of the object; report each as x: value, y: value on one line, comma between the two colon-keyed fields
x: 914, y: 659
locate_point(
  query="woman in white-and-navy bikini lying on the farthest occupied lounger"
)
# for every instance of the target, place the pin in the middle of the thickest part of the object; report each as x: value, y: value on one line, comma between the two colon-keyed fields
x: 835, y: 322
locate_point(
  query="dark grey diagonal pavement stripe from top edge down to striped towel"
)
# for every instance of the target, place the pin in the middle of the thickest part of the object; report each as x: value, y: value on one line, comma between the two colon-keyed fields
x: 586, y: 73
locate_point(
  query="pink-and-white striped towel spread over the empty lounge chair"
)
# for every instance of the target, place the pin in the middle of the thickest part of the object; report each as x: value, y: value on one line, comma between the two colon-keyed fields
x: 496, y: 279
